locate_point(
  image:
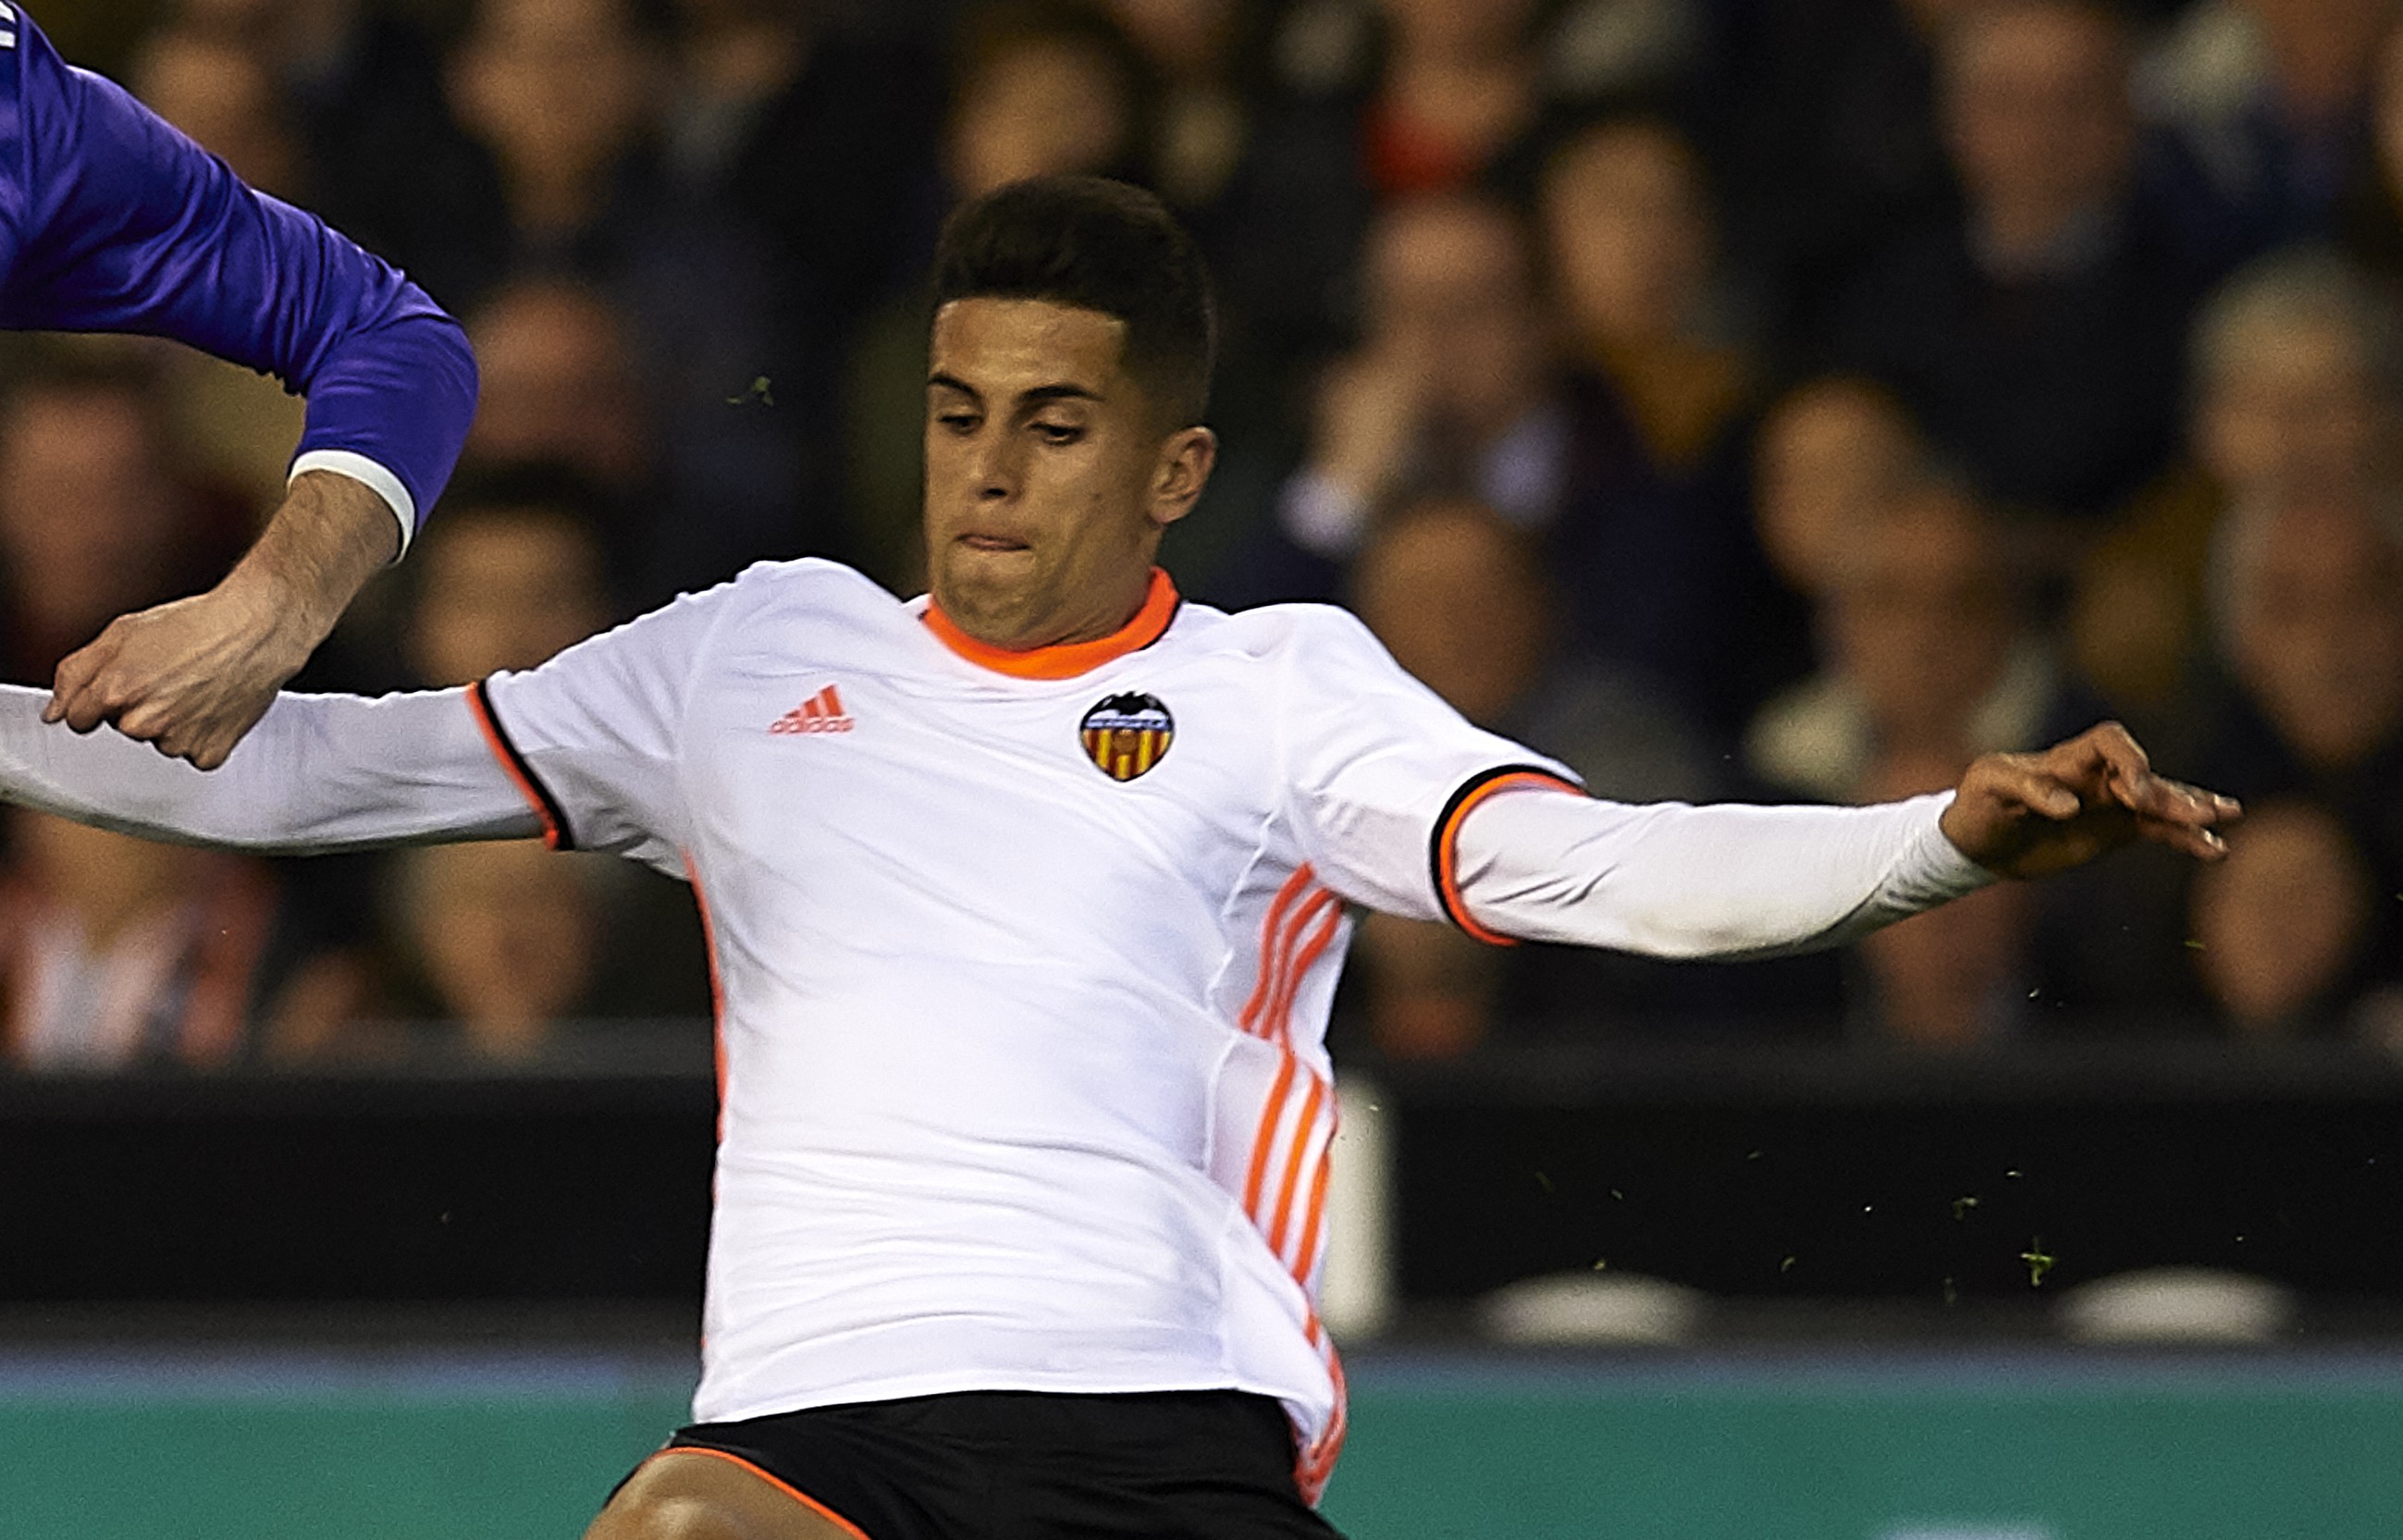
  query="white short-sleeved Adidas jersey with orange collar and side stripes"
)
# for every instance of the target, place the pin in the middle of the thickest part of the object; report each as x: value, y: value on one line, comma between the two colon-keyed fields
x: 1025, y: 967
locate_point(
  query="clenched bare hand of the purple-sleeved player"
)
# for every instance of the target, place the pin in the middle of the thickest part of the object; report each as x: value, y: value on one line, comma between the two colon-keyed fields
x: 189, y: 676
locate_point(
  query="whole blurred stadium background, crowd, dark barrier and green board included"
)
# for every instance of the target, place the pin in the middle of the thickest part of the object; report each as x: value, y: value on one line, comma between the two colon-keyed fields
x: 1734, y: 398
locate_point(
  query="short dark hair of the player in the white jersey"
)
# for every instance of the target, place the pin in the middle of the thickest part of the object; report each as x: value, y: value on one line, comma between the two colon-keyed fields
x: 1099, y: 246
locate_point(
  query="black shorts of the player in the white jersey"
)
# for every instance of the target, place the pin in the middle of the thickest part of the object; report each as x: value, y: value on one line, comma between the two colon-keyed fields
x: 1037, y: 1467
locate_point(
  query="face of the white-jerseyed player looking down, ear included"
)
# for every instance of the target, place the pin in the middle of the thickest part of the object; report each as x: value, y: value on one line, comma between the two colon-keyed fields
x: 1049, y: 477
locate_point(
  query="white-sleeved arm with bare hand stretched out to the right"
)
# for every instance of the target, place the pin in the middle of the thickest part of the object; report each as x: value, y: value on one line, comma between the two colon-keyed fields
x: 1731, y: 883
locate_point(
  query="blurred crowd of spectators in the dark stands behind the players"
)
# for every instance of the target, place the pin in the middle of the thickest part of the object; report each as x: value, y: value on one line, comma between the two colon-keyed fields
x: 1729, y: 398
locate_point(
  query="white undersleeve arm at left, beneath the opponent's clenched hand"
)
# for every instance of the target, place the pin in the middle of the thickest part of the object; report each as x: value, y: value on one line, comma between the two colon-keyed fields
x: 323, y: 772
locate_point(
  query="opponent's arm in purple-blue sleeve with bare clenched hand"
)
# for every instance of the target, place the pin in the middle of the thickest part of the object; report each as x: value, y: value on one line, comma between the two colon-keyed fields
x: 114, y: 222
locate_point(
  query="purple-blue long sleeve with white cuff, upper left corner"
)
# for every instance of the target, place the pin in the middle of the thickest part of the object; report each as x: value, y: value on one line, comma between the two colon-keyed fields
x: 114, y: 222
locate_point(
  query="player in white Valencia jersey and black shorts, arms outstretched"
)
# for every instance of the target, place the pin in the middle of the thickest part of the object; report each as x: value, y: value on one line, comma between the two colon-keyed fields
x: 1027, y: 905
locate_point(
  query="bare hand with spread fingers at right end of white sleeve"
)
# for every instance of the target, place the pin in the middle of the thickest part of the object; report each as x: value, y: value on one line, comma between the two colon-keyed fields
x: 2029, y: 816
